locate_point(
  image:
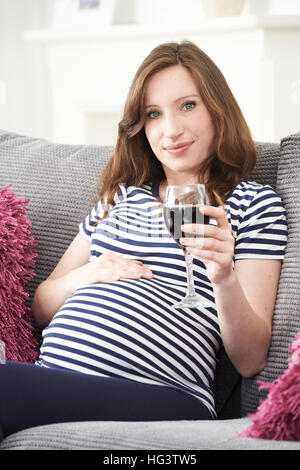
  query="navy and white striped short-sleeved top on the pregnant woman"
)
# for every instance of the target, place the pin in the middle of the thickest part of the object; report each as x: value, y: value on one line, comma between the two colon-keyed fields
x: 128, y: 328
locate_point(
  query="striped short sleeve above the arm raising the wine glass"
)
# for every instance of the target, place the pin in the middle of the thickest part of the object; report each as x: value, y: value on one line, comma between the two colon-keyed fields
x: 262, y: 228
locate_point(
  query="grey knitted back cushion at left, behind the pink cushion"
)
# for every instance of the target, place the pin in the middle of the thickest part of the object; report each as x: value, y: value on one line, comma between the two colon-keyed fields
x: 60, y: 183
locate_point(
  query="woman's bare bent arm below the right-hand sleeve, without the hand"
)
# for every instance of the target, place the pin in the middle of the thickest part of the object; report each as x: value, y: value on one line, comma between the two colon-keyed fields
x: 245, y: 303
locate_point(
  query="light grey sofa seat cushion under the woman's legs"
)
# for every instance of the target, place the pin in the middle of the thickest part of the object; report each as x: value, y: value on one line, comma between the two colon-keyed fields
x: 207, y: 435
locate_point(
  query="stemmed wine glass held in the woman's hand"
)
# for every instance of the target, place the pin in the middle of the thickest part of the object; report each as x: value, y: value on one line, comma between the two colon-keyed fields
x: 182, y: 206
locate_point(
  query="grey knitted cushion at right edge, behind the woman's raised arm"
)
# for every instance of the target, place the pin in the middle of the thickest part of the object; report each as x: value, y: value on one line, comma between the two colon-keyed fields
x: 286, y: 322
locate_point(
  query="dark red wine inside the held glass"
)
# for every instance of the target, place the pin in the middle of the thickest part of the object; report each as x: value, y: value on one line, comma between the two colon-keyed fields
x: 176, y: 216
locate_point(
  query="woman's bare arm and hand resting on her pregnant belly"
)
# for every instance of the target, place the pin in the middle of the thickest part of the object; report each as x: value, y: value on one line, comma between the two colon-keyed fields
x: 74, y: 271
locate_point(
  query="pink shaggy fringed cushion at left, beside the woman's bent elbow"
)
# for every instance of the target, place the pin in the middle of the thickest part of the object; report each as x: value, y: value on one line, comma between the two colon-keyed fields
x: 17, y: 257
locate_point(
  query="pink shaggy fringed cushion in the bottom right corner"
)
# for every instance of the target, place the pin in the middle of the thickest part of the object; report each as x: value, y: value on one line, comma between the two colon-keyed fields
x: 278, y: 416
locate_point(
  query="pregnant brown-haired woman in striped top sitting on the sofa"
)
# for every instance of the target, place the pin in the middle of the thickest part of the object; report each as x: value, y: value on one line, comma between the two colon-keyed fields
x: 114, y: 348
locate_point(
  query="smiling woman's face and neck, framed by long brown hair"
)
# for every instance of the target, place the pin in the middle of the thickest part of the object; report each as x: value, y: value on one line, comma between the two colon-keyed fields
x: 178, y: 126
